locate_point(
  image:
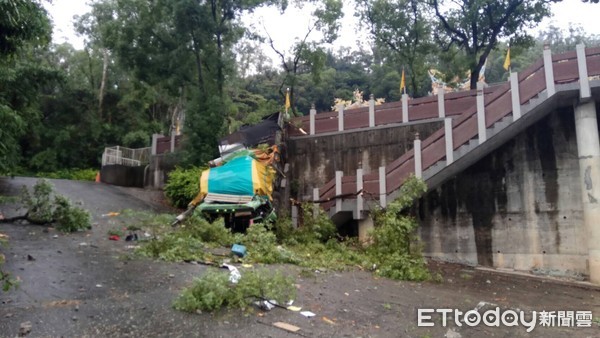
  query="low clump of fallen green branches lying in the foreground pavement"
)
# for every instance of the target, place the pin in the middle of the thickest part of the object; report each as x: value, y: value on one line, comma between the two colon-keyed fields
x: 213, y: 291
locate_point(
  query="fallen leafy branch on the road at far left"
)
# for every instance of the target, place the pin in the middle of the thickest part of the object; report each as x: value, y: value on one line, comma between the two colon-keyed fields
x: 44, y: 206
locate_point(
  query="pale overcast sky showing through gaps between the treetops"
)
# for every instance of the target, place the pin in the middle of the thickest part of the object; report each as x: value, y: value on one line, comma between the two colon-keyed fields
x: 285, y: 28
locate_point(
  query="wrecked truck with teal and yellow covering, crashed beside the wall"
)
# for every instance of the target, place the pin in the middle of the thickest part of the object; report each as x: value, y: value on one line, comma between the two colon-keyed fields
x: 239, y: 189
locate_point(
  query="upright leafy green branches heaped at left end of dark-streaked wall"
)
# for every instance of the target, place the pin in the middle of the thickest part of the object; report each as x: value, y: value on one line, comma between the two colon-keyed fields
x: 394, y: 249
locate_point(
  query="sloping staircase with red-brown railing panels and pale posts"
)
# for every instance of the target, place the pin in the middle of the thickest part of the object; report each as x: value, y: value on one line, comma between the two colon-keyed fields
x: 509, y: 110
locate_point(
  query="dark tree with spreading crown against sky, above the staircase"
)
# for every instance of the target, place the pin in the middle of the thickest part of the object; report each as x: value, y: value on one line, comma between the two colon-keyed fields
x: 475, y: 26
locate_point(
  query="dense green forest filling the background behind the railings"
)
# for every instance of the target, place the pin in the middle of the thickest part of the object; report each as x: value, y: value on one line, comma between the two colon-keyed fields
x: 145, y: 61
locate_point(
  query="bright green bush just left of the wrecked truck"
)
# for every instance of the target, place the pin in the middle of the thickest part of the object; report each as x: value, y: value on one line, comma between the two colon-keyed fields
x: 183, y: 185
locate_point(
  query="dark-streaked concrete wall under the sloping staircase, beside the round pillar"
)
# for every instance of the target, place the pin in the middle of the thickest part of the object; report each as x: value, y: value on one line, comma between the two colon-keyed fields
x: 520, y: 207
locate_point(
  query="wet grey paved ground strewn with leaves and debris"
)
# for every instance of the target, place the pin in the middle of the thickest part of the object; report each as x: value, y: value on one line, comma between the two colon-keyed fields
x: 83, y: 285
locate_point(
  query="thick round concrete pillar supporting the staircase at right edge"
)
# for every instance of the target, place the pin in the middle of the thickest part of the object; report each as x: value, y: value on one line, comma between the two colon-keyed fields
x: 588, y: 150
